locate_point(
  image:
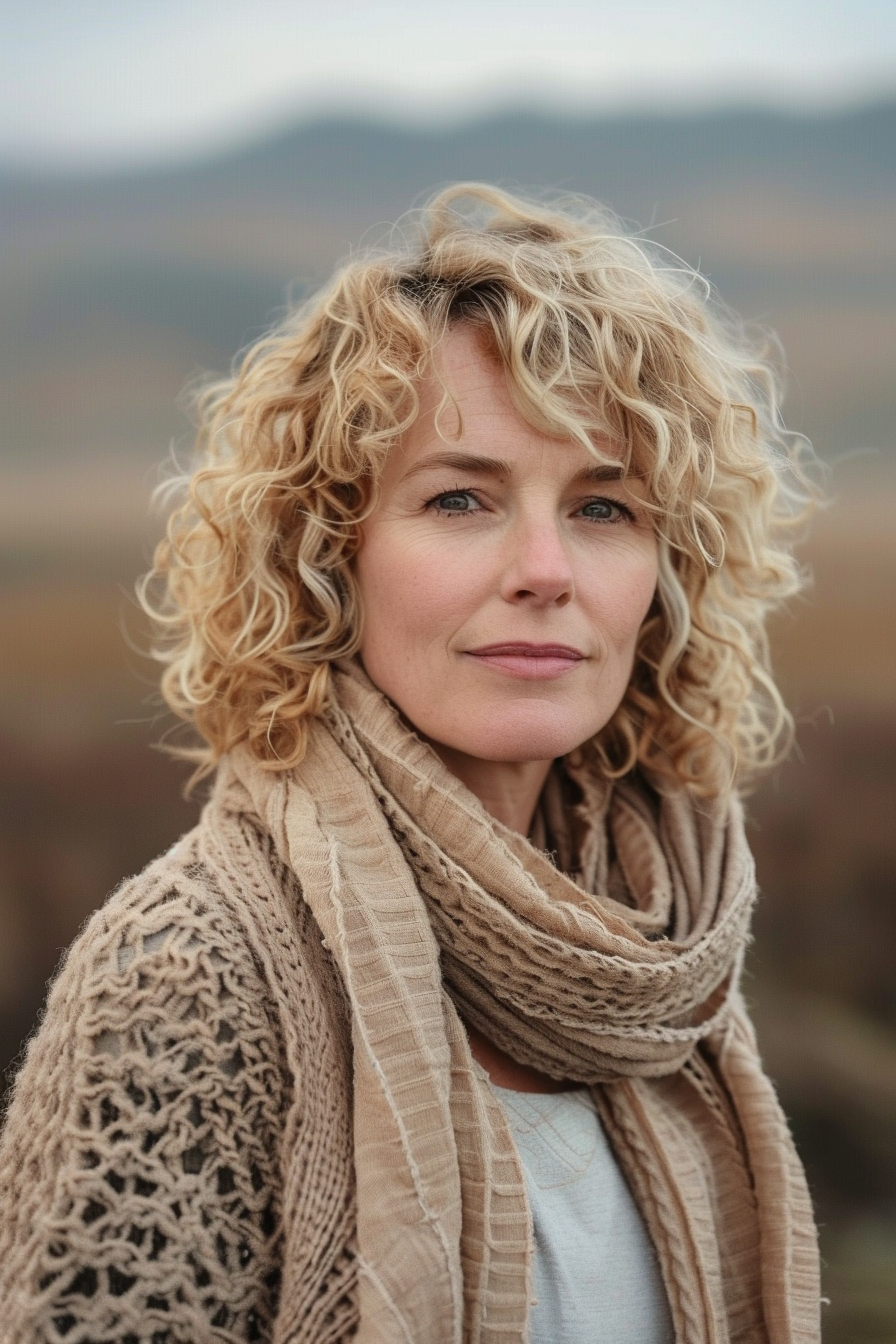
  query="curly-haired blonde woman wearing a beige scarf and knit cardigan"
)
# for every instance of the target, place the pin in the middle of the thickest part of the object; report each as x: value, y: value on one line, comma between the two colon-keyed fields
x: 467, y: 603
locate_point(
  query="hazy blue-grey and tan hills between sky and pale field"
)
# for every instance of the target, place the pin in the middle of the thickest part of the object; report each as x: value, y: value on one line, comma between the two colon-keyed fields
x: 115, y: 288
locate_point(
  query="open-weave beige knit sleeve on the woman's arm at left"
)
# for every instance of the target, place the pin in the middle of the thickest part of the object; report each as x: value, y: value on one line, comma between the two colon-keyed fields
x: 139, y: 1189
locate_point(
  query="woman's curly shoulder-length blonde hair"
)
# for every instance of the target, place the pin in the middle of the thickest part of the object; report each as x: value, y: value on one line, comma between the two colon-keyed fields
x: 253, y: 591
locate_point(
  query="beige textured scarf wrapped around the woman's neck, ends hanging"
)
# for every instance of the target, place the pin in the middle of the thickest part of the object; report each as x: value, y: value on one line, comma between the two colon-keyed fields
x: 625, y: 979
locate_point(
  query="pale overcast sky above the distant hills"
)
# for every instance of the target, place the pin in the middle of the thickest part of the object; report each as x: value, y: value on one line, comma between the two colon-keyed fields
x: 119, y: 80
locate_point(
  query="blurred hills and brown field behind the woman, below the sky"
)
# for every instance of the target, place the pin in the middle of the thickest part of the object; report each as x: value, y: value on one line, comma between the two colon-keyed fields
x: 115, y: 292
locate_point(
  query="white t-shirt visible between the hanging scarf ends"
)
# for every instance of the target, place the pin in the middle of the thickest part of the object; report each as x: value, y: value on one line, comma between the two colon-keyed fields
x: 597, y: 1279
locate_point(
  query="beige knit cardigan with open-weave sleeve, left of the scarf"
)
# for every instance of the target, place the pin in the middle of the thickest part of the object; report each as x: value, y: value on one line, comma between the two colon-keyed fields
x: 186, y: 1097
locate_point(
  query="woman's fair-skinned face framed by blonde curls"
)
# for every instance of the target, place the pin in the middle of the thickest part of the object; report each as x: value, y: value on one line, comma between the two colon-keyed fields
x: 504, y: 575
